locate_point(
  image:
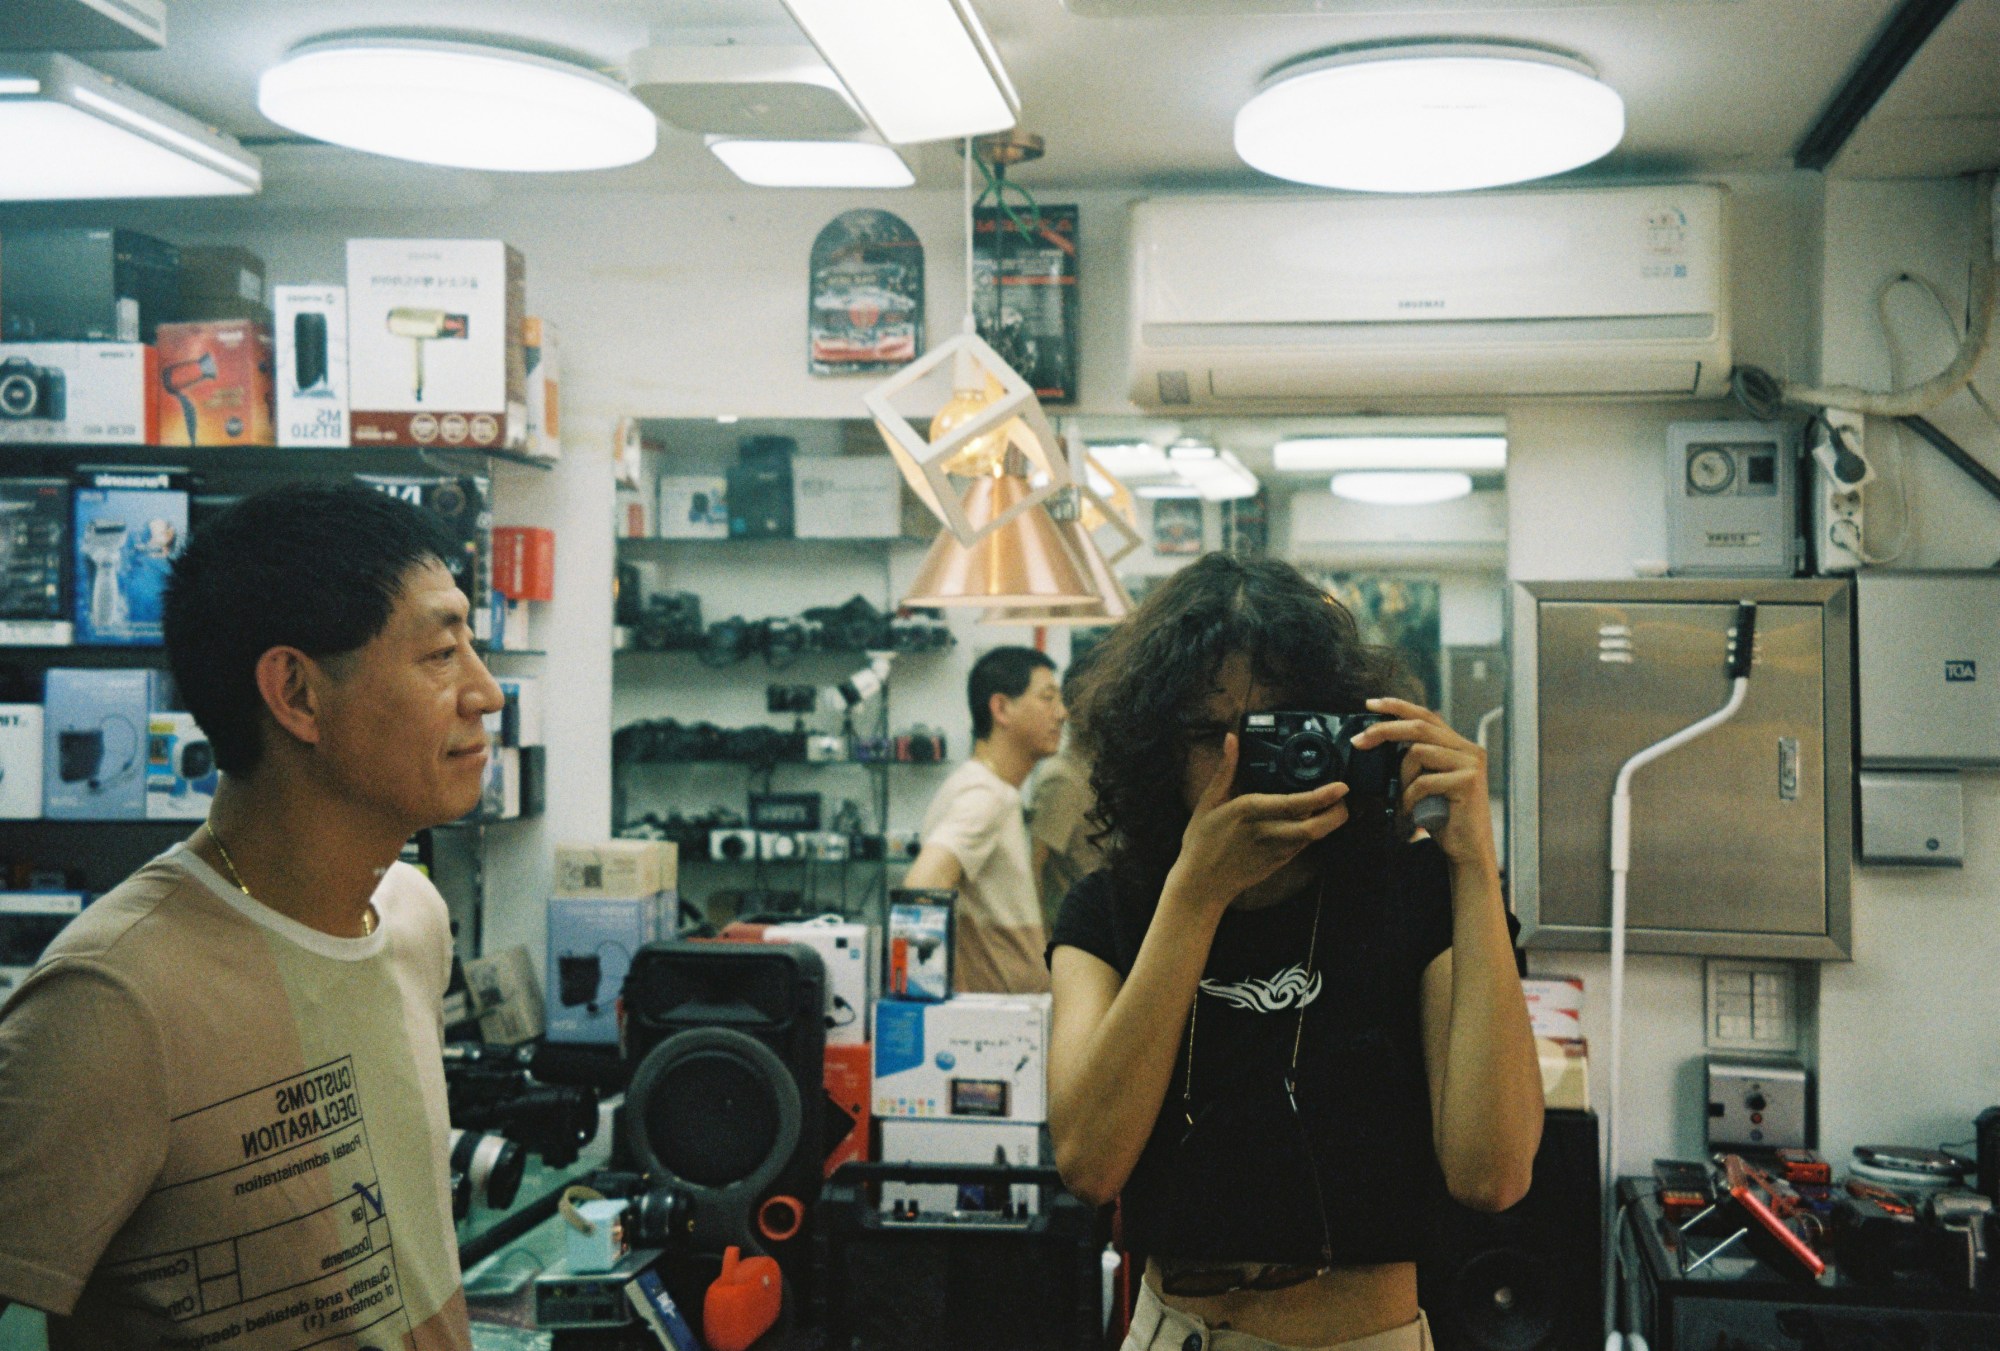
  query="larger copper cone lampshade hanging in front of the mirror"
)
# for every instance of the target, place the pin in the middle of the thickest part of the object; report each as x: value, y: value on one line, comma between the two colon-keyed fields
x: 1025, y: 563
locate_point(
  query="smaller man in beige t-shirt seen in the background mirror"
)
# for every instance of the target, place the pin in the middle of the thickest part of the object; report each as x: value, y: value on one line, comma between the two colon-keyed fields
x: 975, y: 834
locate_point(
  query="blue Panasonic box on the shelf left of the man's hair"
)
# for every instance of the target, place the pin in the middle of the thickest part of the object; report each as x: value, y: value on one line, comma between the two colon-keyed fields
x: 129, y: 529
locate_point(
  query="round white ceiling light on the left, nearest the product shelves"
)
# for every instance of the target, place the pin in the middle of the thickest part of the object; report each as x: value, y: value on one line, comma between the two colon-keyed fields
x: 457, y: 105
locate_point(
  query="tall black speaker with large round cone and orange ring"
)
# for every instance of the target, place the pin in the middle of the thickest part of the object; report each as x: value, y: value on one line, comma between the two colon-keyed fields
x: 727, y: 1046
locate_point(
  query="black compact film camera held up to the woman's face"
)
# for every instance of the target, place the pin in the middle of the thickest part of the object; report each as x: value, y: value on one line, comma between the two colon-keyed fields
x: 1295, y: 752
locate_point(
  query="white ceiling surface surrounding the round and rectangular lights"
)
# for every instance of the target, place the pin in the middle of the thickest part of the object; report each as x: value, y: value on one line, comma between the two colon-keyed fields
x: 1141, y: 93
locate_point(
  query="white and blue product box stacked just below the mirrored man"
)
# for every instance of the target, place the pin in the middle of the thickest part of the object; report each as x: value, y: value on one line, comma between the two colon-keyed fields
x: 973, y: 1056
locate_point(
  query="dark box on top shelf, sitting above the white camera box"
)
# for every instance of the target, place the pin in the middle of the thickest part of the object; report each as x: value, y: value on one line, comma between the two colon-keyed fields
x: 87, y: 285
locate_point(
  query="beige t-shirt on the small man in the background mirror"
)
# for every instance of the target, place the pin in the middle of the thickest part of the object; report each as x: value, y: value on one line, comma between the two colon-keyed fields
x: 999, y: 918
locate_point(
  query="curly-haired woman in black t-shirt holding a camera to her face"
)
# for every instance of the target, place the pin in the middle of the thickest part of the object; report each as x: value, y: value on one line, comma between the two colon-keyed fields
x: 1277, y: 1026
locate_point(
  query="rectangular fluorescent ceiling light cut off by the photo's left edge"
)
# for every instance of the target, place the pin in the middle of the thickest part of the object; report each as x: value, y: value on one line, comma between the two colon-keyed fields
x: 77, y: 135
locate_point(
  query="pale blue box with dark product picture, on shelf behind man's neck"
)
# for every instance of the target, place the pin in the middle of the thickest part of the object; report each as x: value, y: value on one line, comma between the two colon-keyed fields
x: 95, y: 726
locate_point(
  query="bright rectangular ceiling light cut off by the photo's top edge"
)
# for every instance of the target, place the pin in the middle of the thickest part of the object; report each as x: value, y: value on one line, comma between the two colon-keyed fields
x: 919, y: 69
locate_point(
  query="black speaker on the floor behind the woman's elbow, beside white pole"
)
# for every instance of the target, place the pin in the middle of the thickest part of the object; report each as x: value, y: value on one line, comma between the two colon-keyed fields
x: 1529, y: 1278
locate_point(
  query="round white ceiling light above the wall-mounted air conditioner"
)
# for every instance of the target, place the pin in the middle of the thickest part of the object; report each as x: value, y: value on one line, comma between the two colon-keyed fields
x: 1429, y: 117
